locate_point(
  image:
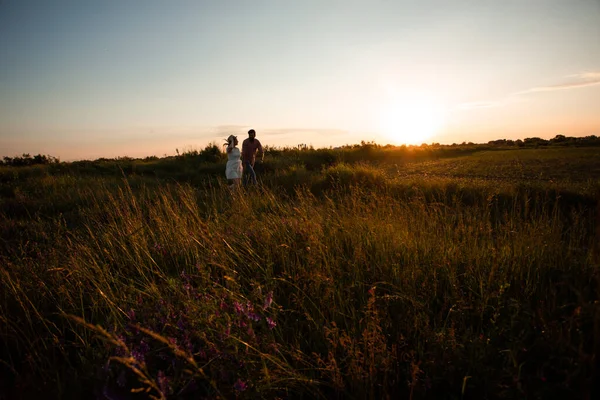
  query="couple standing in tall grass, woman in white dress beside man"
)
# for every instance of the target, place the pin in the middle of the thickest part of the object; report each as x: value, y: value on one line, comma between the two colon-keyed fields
x: 234, y: 170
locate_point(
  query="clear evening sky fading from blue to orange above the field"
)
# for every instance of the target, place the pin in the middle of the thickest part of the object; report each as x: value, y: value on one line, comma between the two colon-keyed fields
x: 86, y: 79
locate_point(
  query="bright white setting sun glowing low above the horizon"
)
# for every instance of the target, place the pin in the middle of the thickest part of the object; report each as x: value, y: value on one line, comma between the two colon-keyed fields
x: 412, y: 119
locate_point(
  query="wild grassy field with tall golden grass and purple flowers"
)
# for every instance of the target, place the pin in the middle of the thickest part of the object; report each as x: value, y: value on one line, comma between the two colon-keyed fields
x: 364, y: 272
